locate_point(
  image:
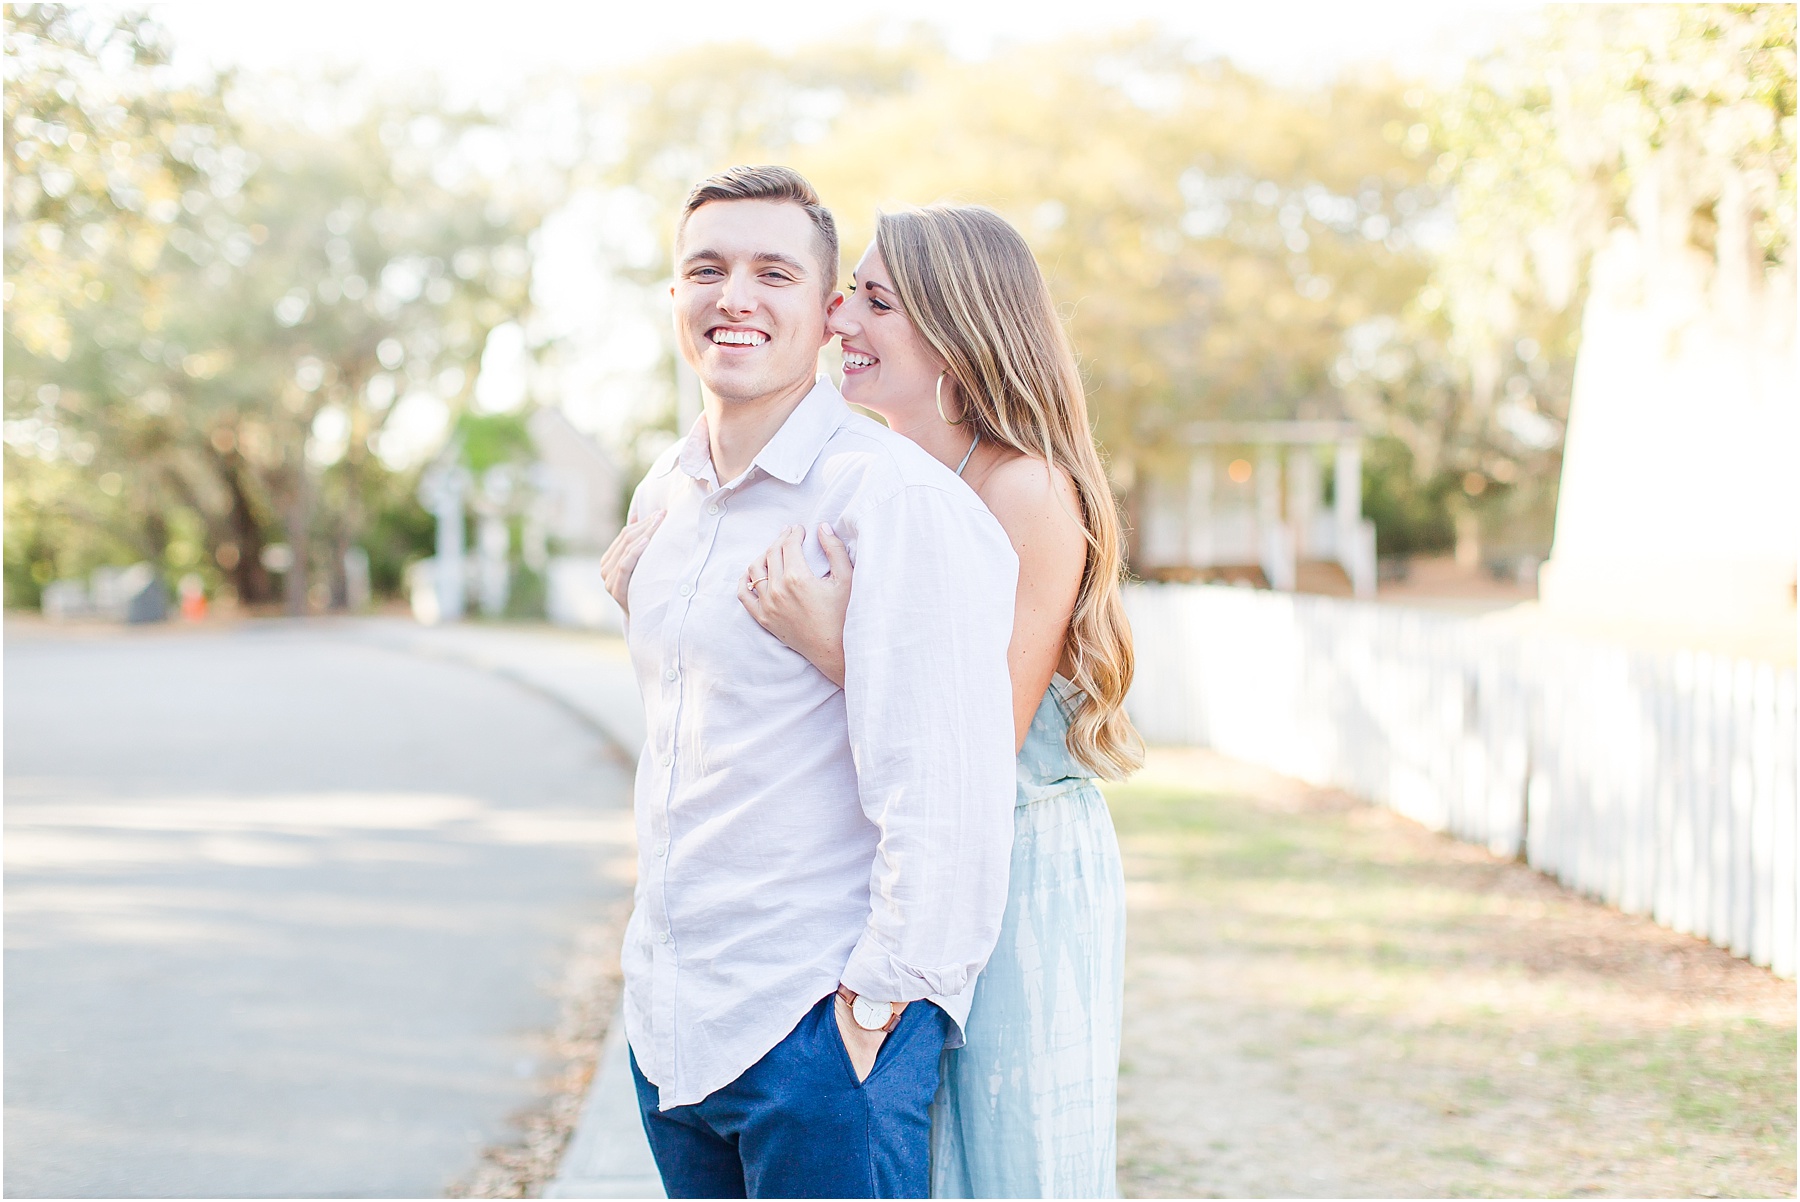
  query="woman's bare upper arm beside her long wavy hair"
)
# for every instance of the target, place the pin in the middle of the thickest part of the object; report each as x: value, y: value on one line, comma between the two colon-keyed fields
x: 1039, y: 508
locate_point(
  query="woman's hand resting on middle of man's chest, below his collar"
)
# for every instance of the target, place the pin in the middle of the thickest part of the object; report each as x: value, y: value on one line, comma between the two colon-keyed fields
x: 804, y: 611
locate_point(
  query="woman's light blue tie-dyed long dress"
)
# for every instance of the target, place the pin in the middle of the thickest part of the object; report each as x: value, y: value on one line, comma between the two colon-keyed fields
x: 1027, y: 1108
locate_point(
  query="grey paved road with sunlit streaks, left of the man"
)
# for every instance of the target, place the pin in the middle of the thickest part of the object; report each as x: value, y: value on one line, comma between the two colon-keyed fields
x: 283, y: 910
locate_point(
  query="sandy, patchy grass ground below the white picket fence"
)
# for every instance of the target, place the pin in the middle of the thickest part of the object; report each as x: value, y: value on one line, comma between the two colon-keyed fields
x: 1326, y: 1000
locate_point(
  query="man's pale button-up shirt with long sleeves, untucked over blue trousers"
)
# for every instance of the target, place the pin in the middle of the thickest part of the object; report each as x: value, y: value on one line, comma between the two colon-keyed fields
x: 793, y: 834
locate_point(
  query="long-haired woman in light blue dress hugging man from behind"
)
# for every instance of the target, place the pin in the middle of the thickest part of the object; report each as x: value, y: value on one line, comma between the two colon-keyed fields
x: 949, y: 334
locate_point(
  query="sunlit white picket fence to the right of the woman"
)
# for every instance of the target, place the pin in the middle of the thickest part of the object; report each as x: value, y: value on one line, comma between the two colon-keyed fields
x: 1662, y: 784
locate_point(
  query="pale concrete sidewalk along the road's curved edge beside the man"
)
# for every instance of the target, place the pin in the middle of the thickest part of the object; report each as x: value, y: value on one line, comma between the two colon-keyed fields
x: 591, y: 677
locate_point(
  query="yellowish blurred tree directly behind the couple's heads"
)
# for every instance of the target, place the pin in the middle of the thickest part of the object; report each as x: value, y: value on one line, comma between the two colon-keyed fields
x: 1210, y: 237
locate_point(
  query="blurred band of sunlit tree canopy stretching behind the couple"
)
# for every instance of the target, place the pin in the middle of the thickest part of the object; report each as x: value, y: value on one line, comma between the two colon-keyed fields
x: 240, y: 312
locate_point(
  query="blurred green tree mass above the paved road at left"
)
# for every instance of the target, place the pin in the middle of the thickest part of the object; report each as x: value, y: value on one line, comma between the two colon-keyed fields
x: 220, y: 364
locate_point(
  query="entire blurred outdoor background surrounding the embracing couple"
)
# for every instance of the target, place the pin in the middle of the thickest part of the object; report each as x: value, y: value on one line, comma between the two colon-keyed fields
x: 1443, y: 359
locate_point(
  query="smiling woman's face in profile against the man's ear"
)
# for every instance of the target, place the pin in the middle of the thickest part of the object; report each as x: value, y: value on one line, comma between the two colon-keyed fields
x: 888, y: 364
